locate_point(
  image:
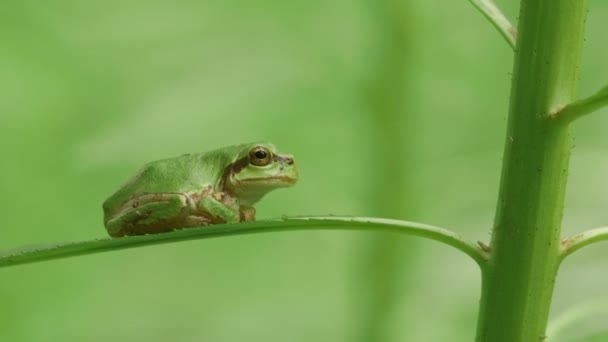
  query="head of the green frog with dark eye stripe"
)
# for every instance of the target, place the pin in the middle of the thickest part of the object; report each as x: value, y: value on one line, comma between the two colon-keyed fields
x: 257, y: 169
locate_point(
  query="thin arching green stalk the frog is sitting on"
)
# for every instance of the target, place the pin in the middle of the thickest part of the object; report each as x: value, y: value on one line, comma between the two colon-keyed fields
x: 285, y: 224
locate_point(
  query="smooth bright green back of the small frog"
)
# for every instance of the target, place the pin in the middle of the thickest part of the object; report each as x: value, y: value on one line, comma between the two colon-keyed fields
x: 189, y: 172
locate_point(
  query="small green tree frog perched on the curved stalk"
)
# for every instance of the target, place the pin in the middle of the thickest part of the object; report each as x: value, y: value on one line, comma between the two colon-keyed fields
x: 193, y: 190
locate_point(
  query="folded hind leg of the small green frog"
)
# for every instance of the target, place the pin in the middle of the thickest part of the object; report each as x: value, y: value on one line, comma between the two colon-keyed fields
x: 153, y: 213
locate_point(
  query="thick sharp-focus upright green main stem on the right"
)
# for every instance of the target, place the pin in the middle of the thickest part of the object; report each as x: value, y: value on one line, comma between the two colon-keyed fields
x: 518, y: 283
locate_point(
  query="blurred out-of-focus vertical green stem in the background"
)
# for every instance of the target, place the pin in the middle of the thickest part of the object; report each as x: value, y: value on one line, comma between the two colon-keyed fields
x: 385, y: 263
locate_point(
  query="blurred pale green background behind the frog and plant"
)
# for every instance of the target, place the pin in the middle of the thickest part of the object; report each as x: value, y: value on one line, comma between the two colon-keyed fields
x: 391, y: 108
